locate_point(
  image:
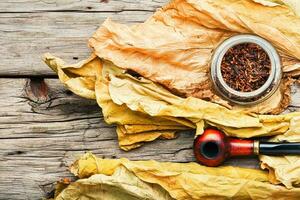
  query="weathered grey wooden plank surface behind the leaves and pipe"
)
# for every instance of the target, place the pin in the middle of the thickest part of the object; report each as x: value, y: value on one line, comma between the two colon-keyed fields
x: 43, y: 126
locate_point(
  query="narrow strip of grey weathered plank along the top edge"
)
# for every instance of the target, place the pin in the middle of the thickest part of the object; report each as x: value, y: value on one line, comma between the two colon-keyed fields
x: 76, y: 5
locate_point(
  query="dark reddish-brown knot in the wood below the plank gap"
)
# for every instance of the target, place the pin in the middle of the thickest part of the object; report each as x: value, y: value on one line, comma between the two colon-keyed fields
x: 37, y: 90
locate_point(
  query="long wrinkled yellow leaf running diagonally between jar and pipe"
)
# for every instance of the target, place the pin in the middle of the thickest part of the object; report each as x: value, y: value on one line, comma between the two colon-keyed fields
x: 154, y: 100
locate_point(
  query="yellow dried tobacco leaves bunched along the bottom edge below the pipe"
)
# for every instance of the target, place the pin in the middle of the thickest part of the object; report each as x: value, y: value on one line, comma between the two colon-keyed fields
x: 180, y: 180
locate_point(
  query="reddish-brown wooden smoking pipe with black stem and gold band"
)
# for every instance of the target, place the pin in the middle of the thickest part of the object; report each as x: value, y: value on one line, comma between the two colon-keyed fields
x: 213, y: 147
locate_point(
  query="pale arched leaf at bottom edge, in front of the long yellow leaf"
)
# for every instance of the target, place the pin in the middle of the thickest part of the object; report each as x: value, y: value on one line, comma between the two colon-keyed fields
x: 122, y: 185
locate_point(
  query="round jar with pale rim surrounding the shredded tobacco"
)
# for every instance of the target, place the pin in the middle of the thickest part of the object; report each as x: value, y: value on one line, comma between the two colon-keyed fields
x: 246, y: 98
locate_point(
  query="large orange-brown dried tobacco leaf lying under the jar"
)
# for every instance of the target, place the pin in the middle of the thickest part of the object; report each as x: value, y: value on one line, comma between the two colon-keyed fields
x: 174, y: 46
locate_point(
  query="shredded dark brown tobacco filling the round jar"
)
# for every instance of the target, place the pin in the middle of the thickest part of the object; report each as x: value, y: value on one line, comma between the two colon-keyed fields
x: 245, y: 67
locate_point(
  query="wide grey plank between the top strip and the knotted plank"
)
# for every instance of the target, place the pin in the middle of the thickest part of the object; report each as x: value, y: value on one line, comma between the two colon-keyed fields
x: 24, y: 37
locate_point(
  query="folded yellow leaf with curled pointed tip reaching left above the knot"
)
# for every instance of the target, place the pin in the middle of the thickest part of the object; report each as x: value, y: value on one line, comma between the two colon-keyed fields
x: 87, y: 79
